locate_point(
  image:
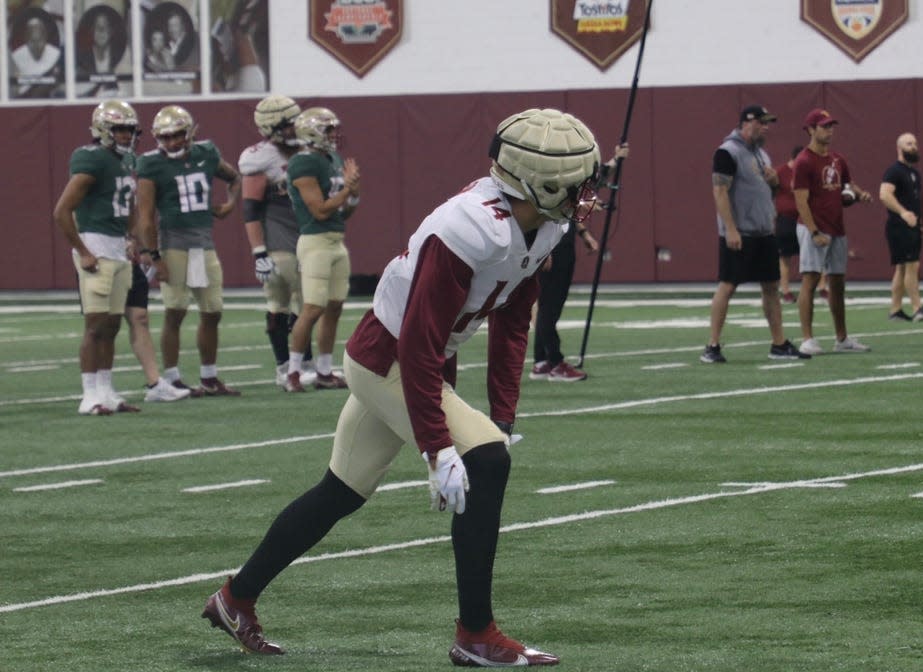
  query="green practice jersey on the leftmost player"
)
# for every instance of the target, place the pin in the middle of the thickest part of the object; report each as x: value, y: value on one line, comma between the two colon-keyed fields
x: 107, y: 204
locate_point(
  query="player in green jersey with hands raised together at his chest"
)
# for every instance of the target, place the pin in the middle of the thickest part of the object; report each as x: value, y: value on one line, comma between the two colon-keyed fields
x: 325, y: 192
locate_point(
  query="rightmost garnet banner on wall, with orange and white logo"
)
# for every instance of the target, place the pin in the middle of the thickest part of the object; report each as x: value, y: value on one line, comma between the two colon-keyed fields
x: 855, y: 26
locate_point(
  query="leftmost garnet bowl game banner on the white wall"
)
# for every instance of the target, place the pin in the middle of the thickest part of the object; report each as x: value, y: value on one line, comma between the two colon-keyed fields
x: 358, y: 33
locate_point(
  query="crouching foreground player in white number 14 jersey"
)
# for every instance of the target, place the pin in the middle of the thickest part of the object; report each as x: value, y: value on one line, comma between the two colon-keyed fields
x: 474, y: 258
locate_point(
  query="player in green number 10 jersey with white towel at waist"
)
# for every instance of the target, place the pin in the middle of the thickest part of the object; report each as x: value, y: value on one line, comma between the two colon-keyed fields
x: 175, y: 181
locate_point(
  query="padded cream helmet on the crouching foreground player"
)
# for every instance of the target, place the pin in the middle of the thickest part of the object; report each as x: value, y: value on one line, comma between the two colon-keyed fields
x: 548, y: 158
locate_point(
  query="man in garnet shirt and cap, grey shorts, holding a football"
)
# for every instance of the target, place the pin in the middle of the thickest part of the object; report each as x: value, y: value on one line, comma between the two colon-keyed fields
x: 820, y: 178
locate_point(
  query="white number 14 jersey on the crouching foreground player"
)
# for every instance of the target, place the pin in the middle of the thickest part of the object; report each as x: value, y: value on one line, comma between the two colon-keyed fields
x: 477, y: 225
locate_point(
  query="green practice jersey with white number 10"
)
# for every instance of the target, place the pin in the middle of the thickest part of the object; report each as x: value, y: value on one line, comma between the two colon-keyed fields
x: 184, y: 186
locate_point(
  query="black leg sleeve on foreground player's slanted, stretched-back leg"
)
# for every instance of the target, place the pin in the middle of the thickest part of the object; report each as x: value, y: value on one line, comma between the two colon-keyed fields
x: 298, y: 528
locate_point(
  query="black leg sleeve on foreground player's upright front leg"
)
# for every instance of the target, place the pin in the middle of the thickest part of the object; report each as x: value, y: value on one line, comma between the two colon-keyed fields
x: 475, y: 532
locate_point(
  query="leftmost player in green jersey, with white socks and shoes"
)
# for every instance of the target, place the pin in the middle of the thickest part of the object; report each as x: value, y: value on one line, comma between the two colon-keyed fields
x: 95, y: 212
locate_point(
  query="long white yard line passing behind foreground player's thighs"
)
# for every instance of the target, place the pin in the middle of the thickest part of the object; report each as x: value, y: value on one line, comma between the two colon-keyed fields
x: 545, y: 413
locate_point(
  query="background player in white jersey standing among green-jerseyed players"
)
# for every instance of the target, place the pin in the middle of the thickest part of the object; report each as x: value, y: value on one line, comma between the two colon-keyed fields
x: 270, y: 223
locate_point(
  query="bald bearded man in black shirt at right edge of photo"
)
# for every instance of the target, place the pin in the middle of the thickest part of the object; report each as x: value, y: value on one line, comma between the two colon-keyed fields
x: 900, y: 194
